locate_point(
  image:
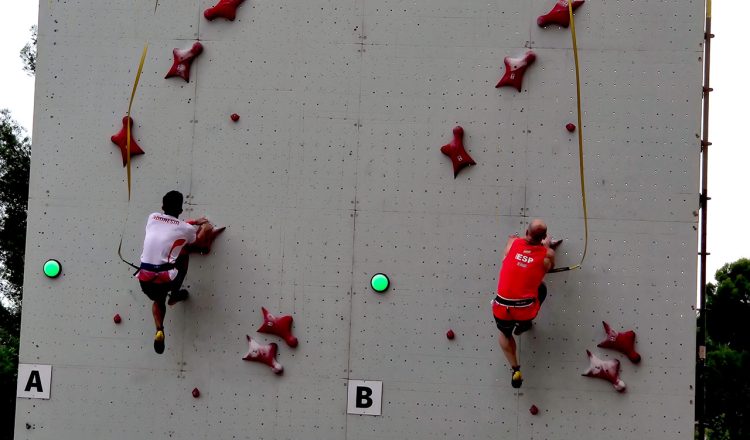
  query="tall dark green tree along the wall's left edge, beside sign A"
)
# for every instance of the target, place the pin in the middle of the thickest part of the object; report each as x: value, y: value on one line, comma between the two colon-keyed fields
x: 15, y: 153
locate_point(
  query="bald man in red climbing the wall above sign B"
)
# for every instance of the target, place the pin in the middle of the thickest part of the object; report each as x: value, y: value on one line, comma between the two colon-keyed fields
x: 520, y: 290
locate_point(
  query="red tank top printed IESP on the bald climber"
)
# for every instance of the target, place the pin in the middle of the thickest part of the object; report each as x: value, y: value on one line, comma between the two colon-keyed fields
x: 522, y: 271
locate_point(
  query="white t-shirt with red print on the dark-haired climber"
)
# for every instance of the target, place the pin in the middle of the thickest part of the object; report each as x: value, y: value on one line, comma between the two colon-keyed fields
x: 165, y: 238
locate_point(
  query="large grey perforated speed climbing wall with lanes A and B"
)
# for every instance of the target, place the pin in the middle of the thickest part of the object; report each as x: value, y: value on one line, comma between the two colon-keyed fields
x: 333, y: 173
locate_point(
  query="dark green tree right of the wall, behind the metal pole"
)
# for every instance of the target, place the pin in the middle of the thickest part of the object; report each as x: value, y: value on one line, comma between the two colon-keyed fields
x: 728, y: 353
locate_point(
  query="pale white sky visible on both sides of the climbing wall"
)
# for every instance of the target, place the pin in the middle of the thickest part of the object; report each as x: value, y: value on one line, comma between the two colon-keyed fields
x: 729, y: 156
